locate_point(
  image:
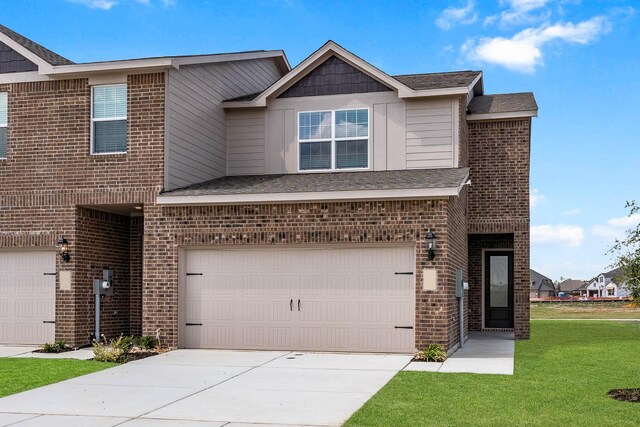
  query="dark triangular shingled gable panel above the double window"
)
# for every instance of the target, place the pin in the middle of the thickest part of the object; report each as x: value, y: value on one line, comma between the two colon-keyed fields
x: 334, y: 77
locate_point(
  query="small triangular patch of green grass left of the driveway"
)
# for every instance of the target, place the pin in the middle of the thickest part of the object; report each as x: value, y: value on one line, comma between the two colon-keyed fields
x: 18, y: 374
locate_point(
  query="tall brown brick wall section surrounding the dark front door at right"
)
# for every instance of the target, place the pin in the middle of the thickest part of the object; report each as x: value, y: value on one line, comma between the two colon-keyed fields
x: 499, y: 153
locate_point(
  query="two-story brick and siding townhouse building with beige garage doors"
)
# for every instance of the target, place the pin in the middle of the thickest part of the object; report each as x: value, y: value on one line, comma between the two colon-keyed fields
x: 235, y: 202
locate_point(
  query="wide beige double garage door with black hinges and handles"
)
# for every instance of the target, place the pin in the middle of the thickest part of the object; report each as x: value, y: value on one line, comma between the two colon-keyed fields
x: 347, y: 299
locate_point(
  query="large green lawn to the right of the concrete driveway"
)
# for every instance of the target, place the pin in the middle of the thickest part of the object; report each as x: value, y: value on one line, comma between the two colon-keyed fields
x: 562, y: 376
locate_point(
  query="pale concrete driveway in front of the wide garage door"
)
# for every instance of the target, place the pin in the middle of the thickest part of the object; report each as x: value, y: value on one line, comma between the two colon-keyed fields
x: 198, y: 388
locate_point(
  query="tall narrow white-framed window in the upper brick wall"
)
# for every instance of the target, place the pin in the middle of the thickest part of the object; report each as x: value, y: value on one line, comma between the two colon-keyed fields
x: 109, y: 119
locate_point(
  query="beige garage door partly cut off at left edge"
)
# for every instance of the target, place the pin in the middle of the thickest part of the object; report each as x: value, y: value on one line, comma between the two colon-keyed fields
x: 27, y: 297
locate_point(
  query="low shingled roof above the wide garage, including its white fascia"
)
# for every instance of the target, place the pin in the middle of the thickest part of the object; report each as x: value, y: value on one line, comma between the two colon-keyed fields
x: 325, y: 186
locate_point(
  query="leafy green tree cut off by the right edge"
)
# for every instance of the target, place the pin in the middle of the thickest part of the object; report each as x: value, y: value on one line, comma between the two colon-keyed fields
x: 627, y: 253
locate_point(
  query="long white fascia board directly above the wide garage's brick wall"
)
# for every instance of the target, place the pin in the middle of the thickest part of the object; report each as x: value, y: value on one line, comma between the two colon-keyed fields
x: 222, y: 199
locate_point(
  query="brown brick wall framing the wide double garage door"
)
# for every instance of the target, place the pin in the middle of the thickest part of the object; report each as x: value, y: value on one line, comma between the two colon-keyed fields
x: 167, y: 229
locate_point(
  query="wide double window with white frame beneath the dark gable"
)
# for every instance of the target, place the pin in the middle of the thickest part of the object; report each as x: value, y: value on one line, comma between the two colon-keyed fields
x: 333, y: 140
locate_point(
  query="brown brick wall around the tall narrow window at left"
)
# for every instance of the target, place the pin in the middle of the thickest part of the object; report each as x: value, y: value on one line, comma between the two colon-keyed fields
x: 49, y: 172
